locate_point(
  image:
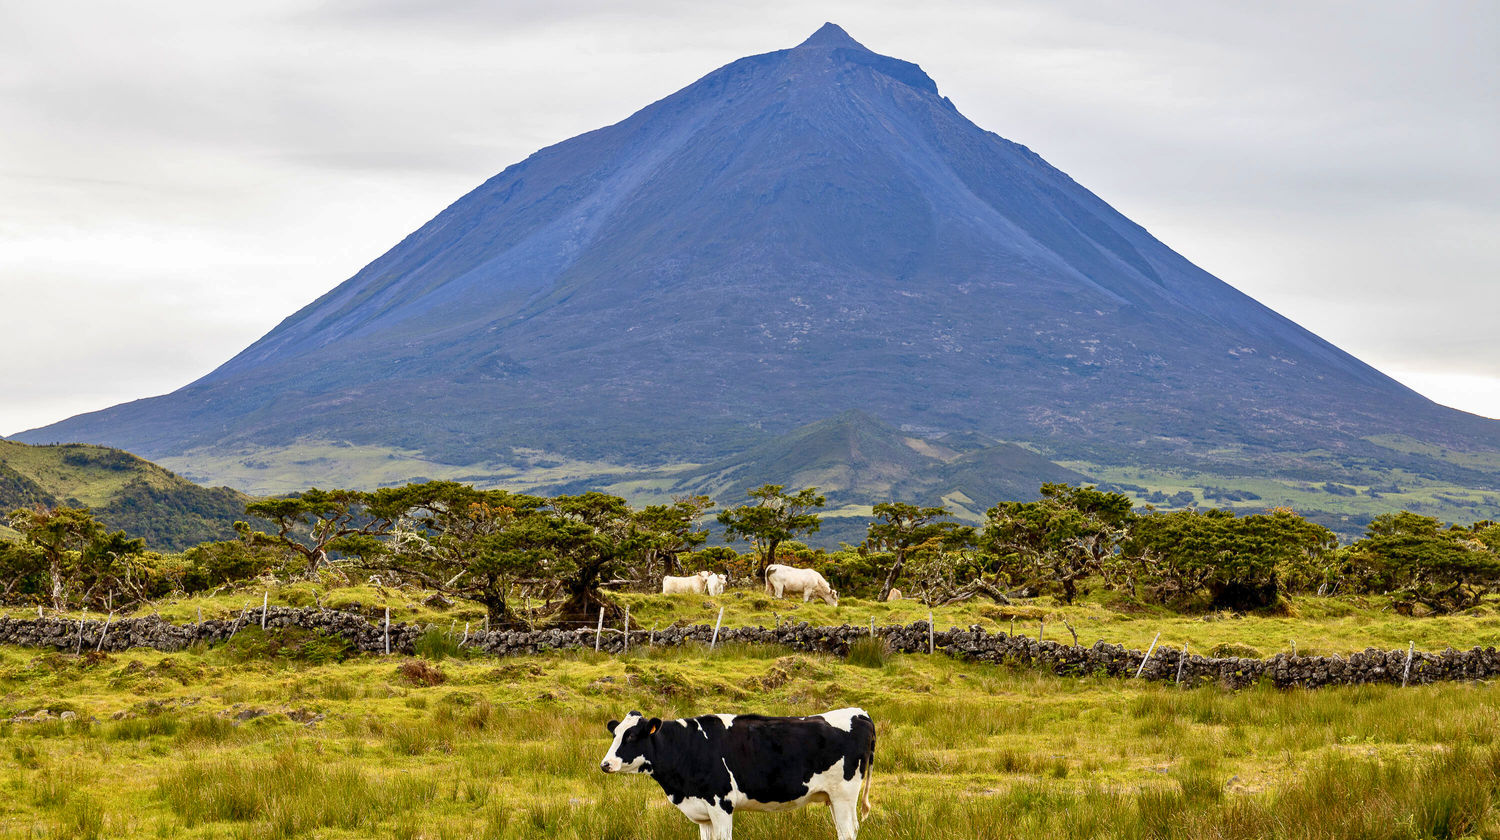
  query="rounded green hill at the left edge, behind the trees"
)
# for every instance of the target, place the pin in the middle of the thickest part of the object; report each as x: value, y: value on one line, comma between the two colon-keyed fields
x: 124, y: 491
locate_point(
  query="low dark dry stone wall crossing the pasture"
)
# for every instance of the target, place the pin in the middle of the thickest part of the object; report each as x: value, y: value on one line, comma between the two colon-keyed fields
x: 973, y: 644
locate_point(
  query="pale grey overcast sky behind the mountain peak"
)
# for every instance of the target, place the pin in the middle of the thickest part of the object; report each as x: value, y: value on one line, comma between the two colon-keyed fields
x: 178, y: 176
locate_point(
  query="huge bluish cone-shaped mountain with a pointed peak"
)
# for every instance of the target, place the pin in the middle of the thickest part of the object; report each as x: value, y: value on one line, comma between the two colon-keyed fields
x: 791, y: 238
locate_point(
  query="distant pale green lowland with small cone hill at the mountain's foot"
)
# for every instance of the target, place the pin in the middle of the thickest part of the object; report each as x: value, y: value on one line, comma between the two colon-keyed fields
x: 857, y: 463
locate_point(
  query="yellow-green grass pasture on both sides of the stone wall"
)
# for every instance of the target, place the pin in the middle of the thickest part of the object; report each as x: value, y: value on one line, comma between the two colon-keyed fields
x: 244, y: 743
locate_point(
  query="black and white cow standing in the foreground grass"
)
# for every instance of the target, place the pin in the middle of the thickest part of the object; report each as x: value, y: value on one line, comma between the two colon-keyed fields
x: 715, y: 766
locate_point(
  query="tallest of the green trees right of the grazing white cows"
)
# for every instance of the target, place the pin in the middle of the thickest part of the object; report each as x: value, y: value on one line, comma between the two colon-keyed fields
x: 1063, y: 538
